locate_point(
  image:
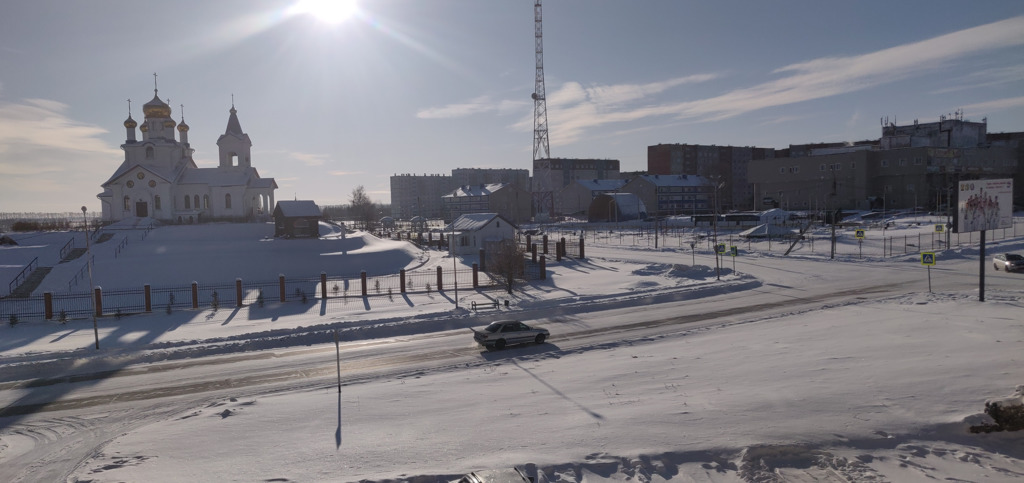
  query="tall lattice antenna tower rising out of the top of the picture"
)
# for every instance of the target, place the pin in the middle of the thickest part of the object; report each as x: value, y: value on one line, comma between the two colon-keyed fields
x: 543, y: 200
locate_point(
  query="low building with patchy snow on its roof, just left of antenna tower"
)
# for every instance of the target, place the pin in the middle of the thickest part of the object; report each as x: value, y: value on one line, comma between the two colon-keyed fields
x: 503, y: 199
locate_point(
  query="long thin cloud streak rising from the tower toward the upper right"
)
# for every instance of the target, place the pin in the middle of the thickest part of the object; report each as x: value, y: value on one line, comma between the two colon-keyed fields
x: 575, y: 109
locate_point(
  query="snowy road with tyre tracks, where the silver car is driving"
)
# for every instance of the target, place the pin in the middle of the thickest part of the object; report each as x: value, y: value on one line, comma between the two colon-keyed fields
x: 53, y: 424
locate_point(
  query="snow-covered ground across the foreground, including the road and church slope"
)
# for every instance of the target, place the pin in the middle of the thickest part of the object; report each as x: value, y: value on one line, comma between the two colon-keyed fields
x: 788, y: 369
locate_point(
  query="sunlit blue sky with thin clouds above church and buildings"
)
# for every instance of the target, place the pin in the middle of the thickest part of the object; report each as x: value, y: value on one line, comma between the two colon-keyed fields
x: 424, y: 86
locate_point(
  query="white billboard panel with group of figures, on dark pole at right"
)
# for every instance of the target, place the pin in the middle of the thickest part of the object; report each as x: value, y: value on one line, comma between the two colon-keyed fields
x: 985, y: 205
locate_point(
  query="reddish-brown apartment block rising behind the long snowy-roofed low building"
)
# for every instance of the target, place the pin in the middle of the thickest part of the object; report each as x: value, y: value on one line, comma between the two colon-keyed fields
x: 727, y: 164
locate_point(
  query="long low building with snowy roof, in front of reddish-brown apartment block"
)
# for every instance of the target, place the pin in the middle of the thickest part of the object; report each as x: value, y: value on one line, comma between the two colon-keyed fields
x: 674, y: 195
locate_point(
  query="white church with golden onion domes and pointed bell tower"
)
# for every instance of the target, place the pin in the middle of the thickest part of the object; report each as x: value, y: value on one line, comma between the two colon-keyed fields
x: 159, y: 179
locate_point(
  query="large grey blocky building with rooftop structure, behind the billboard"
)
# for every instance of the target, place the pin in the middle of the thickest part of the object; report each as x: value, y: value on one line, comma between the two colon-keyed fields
x: 912, y: 166
